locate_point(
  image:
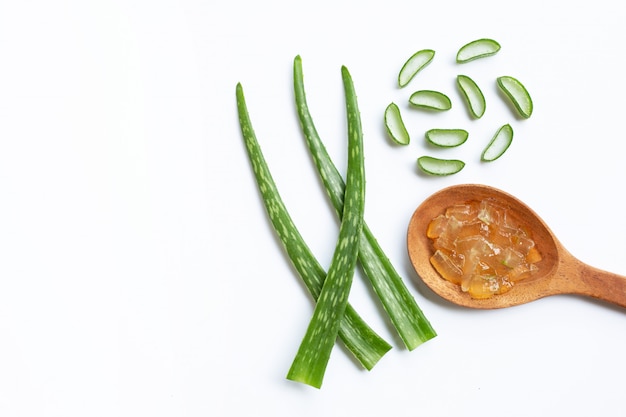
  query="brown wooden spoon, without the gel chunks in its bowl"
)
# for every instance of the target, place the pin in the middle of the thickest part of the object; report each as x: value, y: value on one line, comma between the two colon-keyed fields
x: 559, y: 272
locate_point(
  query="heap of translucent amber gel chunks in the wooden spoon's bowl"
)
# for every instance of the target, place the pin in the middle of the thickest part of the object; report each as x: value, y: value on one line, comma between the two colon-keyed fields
x: 478, y: 246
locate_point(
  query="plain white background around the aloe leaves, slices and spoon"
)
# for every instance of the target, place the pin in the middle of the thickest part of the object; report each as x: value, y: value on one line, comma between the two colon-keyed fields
x: 139, y: 274
